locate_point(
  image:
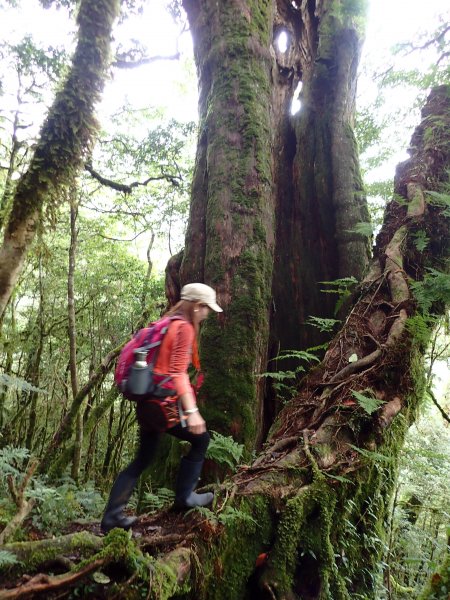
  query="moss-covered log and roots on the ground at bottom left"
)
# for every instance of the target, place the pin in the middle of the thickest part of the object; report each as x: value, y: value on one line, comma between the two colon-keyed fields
x: 165, y: 576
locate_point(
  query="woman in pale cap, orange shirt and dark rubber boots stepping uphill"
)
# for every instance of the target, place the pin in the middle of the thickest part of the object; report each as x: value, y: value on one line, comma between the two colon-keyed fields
x: 178, y: 349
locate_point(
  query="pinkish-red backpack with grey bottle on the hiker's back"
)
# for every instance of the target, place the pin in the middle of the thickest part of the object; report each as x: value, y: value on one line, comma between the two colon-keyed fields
x: 136, y: 380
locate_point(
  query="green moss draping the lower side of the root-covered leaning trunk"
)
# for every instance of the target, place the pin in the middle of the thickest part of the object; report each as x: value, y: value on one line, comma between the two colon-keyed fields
x: 336, y: 530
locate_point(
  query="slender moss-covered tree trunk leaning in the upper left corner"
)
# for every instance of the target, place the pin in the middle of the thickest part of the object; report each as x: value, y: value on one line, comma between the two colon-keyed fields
x: 65, y: 138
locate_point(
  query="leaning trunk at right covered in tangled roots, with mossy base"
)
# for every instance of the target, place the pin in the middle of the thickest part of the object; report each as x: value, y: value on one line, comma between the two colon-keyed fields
x: 307, y: 518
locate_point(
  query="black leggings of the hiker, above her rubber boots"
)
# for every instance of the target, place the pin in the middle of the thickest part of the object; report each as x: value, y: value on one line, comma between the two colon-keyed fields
x: 148, y: 442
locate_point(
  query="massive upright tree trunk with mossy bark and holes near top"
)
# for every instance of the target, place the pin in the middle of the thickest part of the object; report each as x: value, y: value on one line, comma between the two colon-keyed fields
x: 274, y: 195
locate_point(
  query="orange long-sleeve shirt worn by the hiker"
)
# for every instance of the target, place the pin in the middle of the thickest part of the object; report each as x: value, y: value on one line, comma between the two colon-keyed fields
x: 175, y: 354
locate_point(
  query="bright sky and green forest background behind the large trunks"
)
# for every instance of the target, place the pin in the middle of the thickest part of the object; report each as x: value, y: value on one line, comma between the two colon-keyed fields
x: 95, y: 269
